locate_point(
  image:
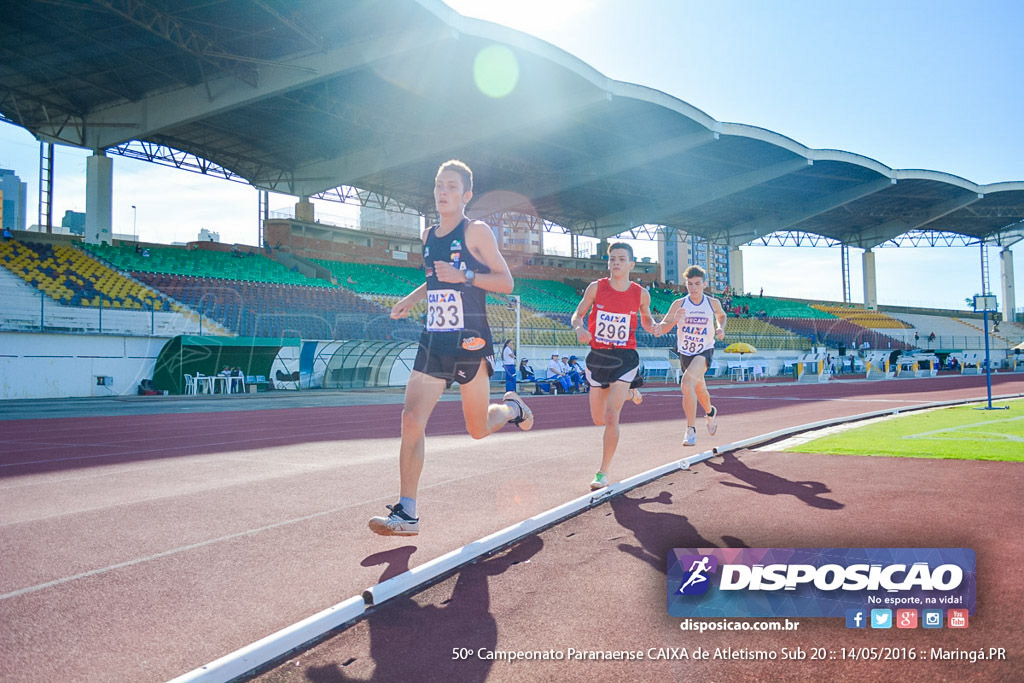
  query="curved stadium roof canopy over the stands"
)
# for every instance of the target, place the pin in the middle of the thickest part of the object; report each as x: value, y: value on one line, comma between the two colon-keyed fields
x: 300, y: 97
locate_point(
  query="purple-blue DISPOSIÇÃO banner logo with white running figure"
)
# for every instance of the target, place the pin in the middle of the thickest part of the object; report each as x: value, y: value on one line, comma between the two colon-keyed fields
x: 820, y: 582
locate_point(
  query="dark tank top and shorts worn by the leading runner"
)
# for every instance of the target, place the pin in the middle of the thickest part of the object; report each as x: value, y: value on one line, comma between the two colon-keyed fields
x: 457, y: 315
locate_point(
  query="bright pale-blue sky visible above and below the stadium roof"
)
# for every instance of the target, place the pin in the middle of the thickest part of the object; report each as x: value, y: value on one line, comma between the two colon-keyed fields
x: 929, y: 84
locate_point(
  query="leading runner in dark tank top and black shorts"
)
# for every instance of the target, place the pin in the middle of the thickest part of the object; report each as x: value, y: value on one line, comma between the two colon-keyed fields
x: 462, y: 264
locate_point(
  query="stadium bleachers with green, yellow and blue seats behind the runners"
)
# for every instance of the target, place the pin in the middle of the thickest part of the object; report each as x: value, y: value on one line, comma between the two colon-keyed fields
x: 257, y: 295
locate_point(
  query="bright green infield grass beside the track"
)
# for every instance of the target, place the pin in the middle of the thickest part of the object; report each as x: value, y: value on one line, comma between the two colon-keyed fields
x: 959, y: 434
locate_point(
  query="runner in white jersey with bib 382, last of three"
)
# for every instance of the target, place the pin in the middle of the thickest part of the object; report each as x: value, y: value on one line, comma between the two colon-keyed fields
x: 700, y: 320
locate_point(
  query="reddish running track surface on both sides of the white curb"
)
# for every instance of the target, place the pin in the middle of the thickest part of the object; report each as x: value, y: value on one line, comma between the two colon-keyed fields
x: 141, y: 548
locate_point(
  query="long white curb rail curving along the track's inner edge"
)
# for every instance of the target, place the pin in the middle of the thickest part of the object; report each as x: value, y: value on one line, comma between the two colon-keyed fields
x: 253, y: 657
